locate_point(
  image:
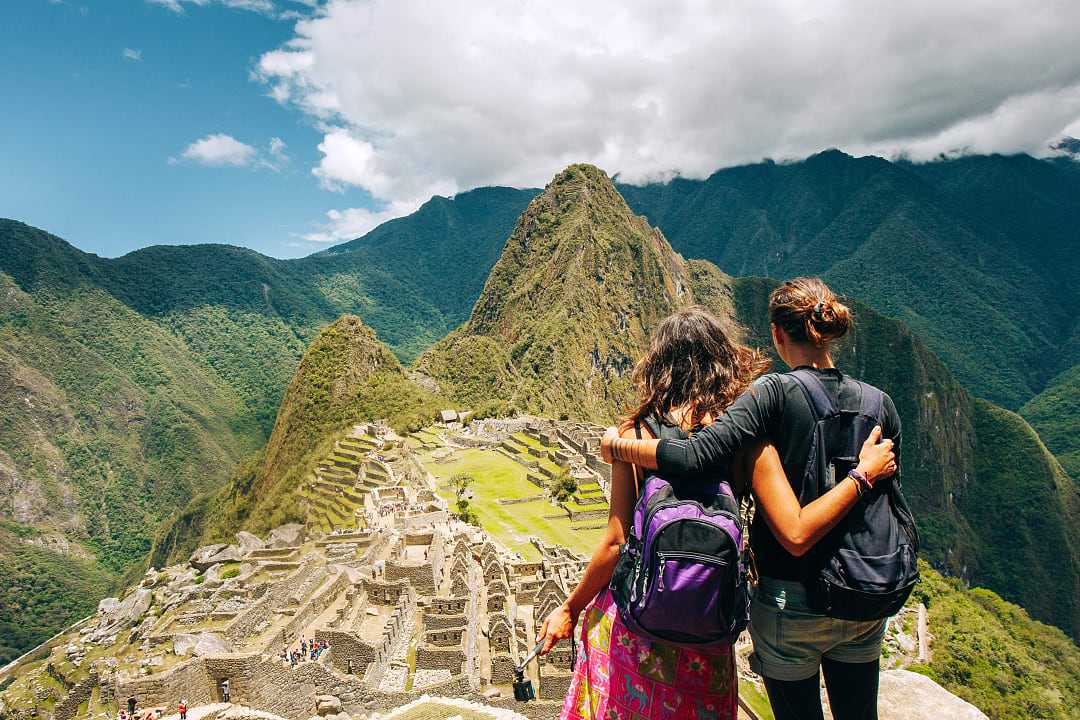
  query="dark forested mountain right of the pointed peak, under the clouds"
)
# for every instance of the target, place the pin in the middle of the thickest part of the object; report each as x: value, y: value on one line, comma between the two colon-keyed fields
x: 987, y: 244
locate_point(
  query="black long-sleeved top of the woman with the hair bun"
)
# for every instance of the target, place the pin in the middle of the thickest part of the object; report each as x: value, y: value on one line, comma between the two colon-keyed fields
x: 774, y: 410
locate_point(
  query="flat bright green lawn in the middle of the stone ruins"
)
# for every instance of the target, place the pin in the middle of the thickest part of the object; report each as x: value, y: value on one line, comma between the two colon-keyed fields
x: 499, y: 478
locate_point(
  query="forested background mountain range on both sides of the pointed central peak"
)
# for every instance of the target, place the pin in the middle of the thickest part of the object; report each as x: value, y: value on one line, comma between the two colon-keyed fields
x: 240, y: 322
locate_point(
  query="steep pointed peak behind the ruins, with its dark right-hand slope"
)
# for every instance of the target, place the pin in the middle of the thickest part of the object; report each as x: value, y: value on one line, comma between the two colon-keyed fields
x: 568, y: 320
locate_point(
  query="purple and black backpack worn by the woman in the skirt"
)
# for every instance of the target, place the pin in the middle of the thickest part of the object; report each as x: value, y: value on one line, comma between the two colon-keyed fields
x: 681, y: 577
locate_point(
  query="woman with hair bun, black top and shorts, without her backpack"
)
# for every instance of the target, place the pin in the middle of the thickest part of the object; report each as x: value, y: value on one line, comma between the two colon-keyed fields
x: 806, y: 317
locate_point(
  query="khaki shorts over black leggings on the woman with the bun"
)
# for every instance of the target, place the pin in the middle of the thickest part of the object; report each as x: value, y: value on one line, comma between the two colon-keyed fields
x: 791, y: 640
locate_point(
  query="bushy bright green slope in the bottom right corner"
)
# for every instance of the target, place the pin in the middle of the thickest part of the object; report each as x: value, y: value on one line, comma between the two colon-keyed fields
x: 993, y: 655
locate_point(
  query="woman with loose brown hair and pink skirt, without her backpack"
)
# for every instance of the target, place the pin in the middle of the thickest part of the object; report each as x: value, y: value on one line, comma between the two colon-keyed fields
x: 691, y: 374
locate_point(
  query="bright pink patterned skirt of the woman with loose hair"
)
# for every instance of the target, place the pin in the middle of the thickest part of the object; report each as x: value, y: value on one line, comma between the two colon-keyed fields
x: 622, y: 676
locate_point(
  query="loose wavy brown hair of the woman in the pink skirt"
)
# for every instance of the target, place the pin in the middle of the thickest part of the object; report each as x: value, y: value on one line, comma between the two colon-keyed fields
x: 694, y: 362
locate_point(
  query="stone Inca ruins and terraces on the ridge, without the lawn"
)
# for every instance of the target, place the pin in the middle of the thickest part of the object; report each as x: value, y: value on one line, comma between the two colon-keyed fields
x: 403, y: 600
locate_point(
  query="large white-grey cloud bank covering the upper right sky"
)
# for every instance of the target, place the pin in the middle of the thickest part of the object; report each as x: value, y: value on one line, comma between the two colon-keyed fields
x: 462, y: 93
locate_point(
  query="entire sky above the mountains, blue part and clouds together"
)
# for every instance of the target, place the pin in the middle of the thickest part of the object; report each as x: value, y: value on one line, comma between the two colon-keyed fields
x: 285, y: 126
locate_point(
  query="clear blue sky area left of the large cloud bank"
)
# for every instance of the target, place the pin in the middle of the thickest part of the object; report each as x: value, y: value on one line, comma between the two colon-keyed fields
x: 87, y: 134
